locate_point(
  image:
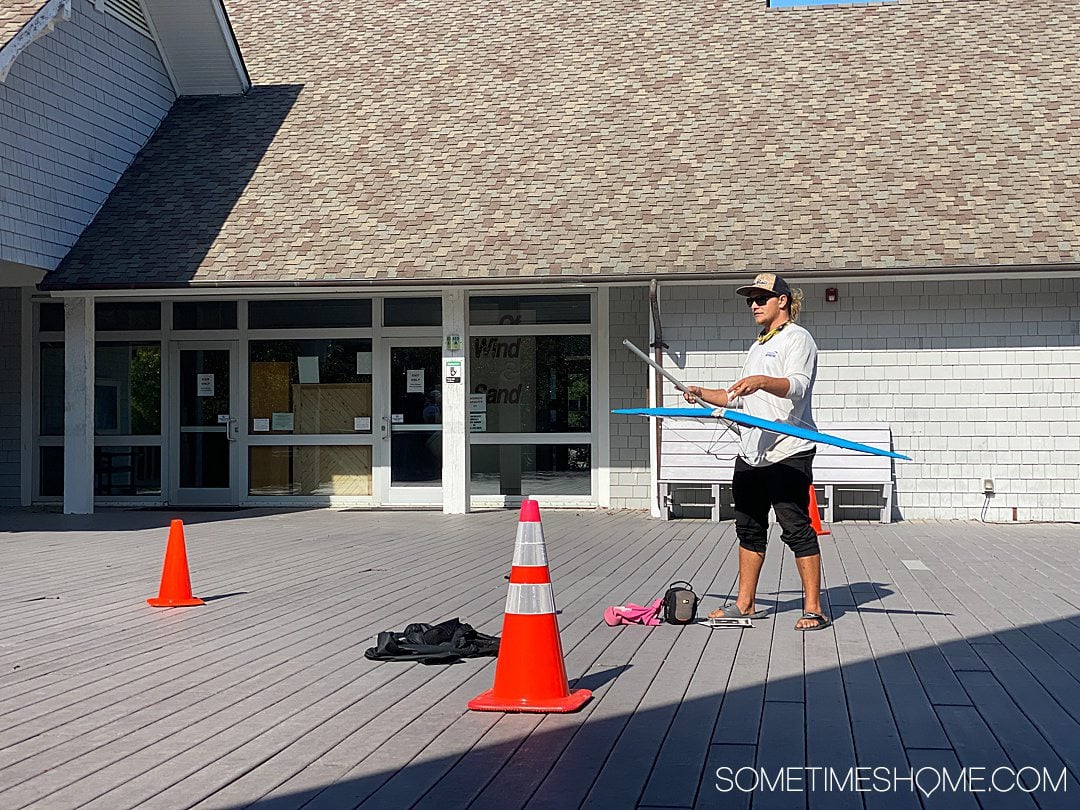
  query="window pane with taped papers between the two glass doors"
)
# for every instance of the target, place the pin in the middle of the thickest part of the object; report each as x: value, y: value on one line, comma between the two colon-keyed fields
x: 305, y: 387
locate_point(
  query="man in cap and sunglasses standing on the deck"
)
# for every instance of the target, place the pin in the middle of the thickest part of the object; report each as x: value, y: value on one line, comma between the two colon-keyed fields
x: 774, y: 470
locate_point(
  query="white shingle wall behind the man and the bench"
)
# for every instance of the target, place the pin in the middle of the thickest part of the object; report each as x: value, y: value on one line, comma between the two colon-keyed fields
x: 978, y: 380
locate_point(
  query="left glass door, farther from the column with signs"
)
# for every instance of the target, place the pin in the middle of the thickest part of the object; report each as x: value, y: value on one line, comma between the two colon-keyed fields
x: 205, y: 437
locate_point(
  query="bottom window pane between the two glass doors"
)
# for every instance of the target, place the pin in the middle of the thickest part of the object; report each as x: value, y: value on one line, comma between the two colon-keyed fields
x: 310, y: 470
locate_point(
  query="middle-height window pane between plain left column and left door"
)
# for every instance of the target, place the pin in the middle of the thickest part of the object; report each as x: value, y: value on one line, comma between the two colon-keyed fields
x: 128, y: 389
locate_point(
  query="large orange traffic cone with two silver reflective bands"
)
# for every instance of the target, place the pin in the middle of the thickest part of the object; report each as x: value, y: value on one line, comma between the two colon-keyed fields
x: 530, y: 676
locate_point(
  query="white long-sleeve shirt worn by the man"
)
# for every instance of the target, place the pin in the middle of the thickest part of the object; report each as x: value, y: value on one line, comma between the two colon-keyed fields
x: 793, y: 355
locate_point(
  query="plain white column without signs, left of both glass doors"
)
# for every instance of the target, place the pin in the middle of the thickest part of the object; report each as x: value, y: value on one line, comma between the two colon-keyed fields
x: 79, y: 407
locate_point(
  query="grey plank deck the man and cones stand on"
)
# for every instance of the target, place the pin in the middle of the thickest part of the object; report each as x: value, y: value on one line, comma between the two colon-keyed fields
x: 967, y: 656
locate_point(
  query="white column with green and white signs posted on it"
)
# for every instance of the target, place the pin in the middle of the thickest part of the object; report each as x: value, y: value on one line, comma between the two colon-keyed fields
x: 456, y: 462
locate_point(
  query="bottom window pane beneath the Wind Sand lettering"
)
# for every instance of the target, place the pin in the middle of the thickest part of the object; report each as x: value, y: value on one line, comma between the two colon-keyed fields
x: 532, y: 470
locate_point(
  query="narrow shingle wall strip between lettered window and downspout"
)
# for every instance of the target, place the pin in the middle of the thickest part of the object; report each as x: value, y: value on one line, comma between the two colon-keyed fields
x: 630, y: 437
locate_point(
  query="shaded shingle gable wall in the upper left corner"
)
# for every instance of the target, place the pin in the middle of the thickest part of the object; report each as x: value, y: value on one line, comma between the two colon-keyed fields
x: 76, y: 109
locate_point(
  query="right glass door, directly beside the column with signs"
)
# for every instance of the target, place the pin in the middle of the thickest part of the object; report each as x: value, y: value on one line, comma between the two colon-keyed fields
x: 413, y: 424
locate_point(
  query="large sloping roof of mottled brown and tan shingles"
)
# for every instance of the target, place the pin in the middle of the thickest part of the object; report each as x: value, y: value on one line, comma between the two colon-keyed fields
x: 603, y: 139
